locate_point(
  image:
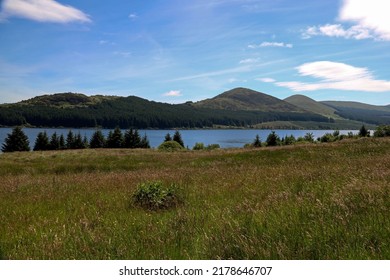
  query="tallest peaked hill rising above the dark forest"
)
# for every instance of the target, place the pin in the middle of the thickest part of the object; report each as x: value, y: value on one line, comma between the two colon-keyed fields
x: 247, y: 99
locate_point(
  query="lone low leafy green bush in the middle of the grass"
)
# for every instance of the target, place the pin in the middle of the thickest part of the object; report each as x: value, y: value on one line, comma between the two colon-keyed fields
x: 156, y: 196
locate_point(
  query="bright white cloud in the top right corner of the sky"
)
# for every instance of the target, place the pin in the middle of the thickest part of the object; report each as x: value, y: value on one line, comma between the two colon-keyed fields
x: 370, y: 19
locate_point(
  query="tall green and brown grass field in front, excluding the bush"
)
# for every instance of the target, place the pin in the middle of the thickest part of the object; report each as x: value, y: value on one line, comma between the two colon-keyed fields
x: 319, y: 201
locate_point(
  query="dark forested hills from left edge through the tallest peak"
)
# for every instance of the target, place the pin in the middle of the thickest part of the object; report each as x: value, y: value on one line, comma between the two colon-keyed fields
x: 78, y: 110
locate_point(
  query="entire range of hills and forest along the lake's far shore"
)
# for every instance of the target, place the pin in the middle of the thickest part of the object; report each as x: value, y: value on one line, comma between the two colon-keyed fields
x: 239, y: 107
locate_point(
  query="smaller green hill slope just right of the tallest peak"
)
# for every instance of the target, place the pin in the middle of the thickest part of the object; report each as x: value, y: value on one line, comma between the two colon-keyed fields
x: 311, y: 105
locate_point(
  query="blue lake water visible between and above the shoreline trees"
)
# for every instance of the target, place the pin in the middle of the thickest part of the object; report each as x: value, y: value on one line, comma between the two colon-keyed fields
x: 226, y: 138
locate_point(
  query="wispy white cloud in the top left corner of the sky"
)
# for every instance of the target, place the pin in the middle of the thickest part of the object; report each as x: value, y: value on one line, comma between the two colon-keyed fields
x: 42, y: 10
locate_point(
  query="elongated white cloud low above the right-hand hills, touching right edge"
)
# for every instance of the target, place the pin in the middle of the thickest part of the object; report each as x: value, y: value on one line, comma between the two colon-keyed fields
x: 337, y: 76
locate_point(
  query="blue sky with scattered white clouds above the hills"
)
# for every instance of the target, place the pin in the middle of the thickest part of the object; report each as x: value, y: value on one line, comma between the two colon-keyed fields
x: 175, y: 51
